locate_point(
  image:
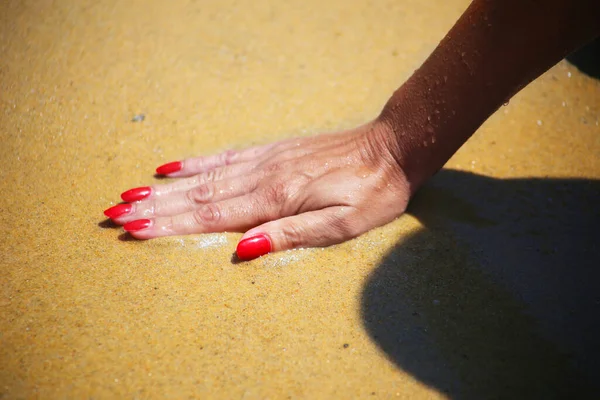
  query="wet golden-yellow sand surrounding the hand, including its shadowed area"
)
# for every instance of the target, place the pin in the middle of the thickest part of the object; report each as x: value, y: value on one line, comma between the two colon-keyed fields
x: 487, y: 286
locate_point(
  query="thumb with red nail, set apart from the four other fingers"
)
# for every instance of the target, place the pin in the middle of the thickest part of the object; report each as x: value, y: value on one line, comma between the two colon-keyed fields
x: 320, y: 228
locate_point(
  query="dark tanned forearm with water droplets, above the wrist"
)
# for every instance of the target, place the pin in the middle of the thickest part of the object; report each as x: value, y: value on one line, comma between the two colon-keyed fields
x: 495, y: 49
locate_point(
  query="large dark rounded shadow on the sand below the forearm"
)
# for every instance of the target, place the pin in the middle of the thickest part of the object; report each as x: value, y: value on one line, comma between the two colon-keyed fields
x: 499, y: 295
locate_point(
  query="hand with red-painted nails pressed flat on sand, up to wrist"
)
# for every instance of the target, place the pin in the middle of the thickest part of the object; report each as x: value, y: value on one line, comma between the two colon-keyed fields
x: 307, y: 192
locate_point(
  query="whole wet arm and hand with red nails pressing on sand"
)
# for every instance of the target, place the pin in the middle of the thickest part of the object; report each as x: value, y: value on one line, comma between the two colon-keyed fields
x: 323, y: 190
